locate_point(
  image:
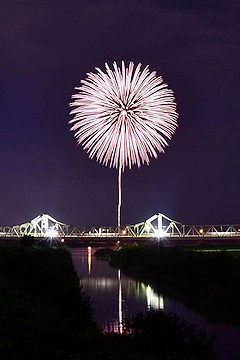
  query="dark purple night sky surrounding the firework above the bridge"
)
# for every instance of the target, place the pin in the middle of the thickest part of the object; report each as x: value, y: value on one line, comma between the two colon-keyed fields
x: 48, y: 46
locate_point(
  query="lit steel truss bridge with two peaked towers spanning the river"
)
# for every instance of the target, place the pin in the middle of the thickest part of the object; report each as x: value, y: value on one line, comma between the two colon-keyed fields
x: 157, y: 226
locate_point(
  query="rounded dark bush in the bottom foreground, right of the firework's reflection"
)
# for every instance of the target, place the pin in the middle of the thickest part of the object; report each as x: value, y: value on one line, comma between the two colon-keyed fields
x: 169, y: 335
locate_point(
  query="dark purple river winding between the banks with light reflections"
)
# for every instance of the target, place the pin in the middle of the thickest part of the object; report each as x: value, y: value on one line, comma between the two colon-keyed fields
x: 114, y: 296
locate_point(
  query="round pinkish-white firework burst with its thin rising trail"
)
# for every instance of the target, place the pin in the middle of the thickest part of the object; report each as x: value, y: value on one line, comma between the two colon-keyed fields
x: 123, y: 116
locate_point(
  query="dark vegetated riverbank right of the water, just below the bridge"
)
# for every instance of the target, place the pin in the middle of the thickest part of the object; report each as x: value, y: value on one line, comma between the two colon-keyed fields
x: 206, y: 281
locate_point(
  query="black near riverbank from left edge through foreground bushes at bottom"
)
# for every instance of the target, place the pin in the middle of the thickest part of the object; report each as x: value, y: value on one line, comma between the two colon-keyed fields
x: 45, y: 315
